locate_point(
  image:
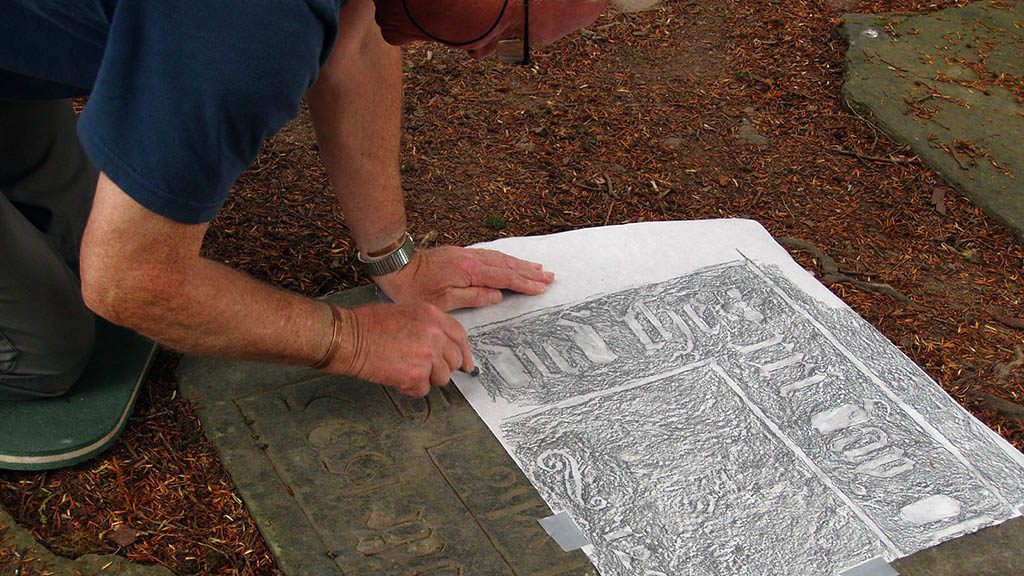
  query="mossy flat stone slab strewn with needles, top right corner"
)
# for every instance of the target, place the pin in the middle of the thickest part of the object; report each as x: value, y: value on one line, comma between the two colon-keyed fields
x: 949, y: 85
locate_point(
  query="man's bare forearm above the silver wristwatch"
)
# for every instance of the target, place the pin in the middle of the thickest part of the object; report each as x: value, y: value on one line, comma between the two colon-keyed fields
x: 357, y: 110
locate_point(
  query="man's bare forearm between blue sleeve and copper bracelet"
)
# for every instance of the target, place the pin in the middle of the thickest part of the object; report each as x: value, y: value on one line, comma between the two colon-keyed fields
x: 145, y: 272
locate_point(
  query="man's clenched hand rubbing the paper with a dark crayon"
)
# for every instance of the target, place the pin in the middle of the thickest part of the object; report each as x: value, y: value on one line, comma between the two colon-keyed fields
x: 410, y: 348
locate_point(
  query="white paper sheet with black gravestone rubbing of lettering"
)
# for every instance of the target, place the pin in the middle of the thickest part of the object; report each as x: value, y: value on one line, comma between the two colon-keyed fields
x: 699, y: 404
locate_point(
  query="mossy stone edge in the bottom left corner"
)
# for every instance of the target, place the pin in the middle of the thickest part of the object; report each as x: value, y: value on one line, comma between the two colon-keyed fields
x: 22, y: 542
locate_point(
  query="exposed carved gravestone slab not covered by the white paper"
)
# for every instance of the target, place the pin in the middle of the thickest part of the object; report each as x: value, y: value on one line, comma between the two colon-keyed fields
x: 345, y: 477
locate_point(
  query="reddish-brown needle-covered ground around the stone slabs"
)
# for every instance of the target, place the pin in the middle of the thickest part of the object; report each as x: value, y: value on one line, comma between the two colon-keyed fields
x: 701, y: 109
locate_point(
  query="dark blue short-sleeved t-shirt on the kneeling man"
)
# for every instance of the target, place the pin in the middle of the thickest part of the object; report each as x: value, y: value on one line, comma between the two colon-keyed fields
x: 182, y: 93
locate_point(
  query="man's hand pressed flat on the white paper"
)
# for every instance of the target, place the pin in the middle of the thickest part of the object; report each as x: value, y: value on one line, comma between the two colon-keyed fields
x: 452, y: 278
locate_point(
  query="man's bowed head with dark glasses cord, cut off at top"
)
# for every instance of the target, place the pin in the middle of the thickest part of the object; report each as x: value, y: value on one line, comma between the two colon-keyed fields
x: 462, y: 23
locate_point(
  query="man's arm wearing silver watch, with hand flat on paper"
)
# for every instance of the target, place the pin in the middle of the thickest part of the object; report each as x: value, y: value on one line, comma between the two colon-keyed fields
x: 357, y: 110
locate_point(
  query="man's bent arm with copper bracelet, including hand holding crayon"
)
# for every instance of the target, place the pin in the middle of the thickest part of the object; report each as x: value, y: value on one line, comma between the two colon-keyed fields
x: 144, y: 271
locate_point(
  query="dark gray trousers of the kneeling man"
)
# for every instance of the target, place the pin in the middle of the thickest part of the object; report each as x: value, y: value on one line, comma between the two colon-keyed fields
x: 47, y: 189
